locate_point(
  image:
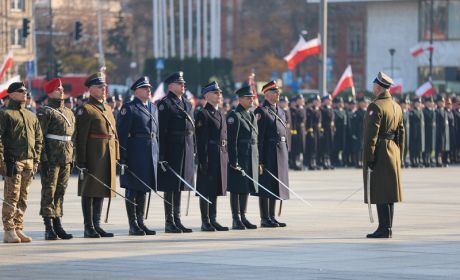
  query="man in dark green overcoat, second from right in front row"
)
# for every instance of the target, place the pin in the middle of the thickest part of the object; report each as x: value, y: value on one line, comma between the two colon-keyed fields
x: 243, y: 156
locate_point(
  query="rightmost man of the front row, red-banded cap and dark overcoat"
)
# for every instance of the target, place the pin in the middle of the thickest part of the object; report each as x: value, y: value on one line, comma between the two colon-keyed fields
x: 273, y: 154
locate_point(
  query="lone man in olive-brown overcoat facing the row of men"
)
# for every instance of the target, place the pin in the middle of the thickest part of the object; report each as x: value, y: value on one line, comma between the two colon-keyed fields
x: 383, y: 147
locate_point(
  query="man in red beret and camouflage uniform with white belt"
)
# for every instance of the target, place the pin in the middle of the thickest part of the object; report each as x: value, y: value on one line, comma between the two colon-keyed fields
x: 58, y: 126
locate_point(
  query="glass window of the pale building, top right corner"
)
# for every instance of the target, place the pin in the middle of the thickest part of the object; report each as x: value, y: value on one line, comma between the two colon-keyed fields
x: 446, y: 19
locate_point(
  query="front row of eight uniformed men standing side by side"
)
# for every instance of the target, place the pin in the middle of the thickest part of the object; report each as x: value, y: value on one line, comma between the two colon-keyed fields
x: 155, y: 147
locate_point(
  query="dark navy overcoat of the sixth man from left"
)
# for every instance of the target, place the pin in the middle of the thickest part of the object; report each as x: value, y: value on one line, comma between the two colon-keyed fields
x: 211, y: 138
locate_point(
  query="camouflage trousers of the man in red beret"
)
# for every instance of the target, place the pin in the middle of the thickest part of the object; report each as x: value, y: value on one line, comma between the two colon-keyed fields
x: 54, y: 183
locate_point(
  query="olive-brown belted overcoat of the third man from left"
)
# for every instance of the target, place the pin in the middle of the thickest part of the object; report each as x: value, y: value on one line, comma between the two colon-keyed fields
x: 97, y: 148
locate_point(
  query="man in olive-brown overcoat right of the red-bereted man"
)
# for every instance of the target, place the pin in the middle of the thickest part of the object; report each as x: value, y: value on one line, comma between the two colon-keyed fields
x: 97, y: 155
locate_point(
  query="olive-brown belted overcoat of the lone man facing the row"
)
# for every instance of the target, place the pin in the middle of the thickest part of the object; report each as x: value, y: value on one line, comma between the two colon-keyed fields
x: 383, y: 116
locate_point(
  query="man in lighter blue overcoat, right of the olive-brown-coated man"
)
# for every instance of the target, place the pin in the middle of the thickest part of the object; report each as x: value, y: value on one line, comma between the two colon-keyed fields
x: 137, y: 126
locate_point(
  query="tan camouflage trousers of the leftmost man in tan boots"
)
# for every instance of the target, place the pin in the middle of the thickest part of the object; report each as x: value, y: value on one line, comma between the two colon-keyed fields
x: 15, y: 194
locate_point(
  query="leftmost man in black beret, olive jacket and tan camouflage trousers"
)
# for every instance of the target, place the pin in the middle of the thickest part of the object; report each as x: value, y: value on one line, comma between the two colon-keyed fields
x: 20, y: 147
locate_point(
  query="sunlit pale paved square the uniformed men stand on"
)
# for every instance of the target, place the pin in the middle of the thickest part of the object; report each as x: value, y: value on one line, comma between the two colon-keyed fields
x: 325, y: 241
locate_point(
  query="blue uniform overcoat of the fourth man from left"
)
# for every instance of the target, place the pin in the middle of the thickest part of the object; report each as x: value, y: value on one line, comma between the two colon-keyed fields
x: 137, y: 127
